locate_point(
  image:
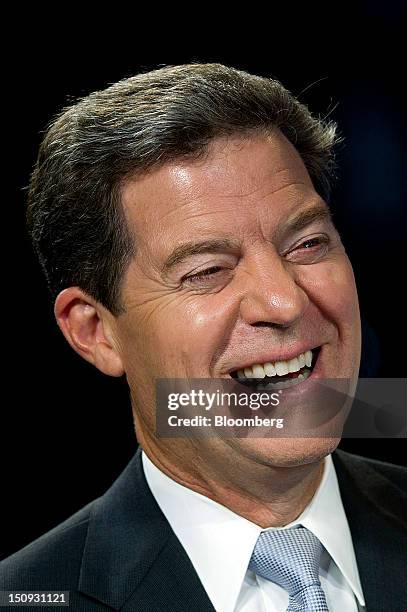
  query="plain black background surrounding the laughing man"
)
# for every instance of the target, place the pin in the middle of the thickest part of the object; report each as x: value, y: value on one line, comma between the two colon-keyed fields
x: 67, y: 430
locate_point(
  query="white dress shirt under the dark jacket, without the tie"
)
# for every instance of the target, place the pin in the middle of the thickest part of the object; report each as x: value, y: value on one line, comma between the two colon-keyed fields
x: 220, y: 543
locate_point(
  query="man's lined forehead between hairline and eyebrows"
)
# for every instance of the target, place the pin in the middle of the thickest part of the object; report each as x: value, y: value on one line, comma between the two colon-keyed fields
x: 236, y: 181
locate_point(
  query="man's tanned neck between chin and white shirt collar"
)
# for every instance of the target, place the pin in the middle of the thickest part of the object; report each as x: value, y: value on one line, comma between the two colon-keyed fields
x: 273, y: 496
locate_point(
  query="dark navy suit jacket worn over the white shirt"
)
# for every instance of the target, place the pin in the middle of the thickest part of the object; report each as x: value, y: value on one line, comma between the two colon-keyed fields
x: 120, y: 553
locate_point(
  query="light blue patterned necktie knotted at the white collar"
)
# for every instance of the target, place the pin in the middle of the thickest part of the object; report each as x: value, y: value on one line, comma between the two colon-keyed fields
x: 290, y: 558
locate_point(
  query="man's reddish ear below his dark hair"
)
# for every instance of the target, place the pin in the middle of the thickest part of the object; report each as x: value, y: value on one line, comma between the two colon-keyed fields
x: 88, y: 327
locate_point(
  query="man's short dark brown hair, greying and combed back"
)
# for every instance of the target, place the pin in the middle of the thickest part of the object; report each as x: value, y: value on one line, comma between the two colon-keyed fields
x: 74, y: 212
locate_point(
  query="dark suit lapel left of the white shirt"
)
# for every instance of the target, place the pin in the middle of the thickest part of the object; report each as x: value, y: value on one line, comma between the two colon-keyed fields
x: 132, y: 560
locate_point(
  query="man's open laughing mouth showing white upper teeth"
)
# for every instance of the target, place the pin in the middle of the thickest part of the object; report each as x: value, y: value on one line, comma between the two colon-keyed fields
x: 280, y: 374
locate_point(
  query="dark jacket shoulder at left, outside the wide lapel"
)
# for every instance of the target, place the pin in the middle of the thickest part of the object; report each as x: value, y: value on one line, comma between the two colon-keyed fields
x: 52, y: 560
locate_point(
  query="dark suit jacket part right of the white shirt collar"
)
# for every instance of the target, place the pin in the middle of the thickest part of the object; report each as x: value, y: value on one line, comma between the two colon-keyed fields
x: 373, y: 506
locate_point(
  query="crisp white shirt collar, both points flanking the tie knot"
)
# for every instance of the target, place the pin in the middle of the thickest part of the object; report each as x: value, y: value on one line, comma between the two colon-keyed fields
x: 203, y: 525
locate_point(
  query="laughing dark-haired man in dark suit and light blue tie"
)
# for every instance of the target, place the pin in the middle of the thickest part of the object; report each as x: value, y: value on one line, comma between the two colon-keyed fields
x: 180, y: 217
